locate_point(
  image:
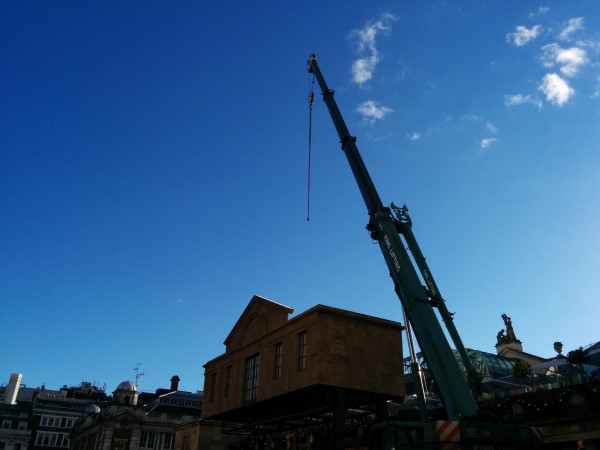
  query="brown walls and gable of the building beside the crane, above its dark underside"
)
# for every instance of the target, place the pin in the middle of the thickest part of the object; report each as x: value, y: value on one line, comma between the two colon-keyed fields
x: 268, y: 355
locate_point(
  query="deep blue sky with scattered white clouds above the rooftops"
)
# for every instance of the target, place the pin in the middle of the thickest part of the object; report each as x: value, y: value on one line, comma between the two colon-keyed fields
x: 153, y: 173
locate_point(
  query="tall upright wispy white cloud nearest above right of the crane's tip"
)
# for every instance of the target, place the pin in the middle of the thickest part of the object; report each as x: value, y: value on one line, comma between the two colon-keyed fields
x: 369, y: 56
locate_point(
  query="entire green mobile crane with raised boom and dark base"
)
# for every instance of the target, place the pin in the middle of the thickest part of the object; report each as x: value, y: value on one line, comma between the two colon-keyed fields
x: 392, y: 229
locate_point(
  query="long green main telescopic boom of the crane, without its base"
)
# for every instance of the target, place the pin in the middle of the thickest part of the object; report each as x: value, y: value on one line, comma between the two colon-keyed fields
x: 454, y: 390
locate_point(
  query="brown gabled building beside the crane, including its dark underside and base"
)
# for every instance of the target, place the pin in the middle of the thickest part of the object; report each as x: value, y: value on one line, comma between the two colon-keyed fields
x: 325, y: 365
